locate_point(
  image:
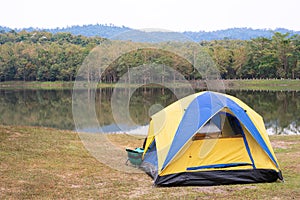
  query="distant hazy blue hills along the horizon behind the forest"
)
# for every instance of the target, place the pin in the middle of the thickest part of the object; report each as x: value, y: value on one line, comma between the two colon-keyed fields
x: 112, y: 31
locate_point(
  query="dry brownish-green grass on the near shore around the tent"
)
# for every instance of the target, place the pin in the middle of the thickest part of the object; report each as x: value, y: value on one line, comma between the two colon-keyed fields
x: 44, y: 163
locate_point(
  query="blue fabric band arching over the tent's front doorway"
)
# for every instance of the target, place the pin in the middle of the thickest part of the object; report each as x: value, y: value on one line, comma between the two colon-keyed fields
x: 202, y: 109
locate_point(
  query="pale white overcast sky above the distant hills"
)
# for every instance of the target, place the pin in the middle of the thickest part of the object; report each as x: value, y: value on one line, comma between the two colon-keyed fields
x: 173, y: 15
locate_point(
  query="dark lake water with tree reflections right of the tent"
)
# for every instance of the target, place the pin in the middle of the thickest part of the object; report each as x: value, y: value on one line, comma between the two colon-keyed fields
x: 280, y: 109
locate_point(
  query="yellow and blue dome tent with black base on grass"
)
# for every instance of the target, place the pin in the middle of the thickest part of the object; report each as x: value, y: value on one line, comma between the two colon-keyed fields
x: 208, y: 138
